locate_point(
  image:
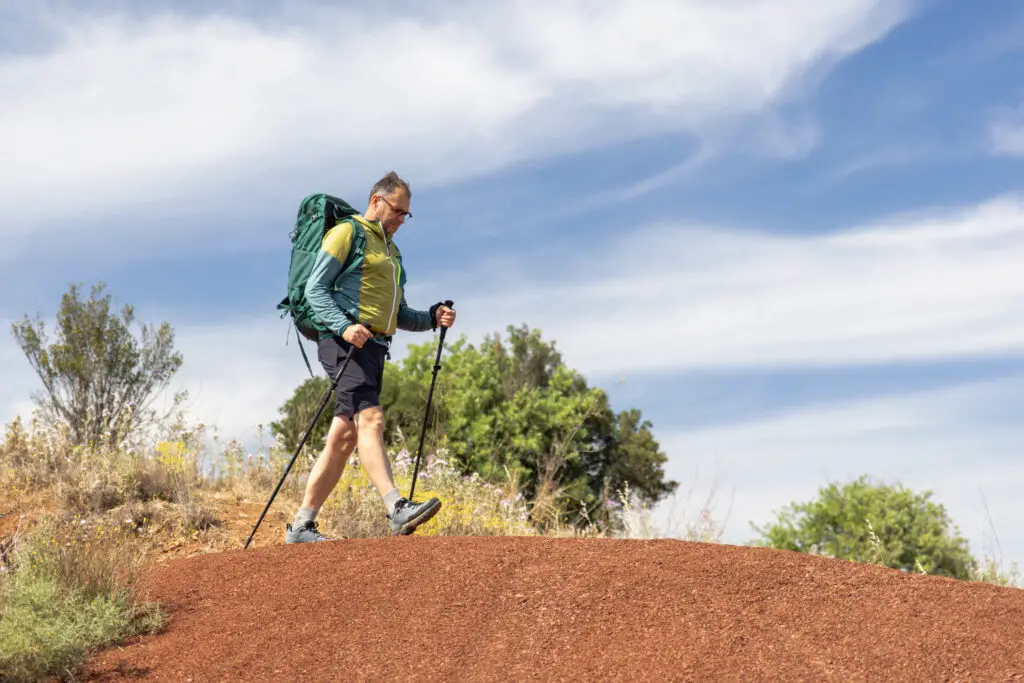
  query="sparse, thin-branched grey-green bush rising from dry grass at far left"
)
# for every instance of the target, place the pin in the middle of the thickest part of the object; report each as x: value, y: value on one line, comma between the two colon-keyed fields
x: 98, y: 378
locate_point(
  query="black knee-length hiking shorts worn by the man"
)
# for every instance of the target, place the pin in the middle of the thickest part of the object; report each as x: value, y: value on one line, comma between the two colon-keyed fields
x: 360, y: 388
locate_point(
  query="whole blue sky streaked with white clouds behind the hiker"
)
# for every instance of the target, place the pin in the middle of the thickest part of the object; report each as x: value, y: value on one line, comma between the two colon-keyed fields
x: 789, y: 233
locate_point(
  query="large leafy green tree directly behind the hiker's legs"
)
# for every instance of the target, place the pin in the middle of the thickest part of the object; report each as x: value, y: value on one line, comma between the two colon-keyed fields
x: 513, y: 406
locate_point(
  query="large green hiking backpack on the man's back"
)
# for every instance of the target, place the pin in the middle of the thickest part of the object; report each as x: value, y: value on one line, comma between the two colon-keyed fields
x: 318, y: 215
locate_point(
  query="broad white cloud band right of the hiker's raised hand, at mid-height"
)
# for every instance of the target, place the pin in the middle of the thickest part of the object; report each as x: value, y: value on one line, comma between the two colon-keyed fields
x: 934, y: 286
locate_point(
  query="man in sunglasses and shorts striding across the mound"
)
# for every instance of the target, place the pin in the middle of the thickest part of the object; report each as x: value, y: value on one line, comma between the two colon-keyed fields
x: 363, y: 309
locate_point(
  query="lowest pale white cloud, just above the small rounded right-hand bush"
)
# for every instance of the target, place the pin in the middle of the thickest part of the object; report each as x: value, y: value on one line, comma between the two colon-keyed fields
x: 942, y: 441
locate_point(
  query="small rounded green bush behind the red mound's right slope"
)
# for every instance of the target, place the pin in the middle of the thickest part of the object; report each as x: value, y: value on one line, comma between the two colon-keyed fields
x: 868, y: 522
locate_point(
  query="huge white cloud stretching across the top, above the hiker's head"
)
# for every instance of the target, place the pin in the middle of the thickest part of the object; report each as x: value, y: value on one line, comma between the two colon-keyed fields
x: 130, y: 111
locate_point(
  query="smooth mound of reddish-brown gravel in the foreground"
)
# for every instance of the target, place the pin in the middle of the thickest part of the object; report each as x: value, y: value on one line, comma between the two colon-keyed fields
x: 539, y: 609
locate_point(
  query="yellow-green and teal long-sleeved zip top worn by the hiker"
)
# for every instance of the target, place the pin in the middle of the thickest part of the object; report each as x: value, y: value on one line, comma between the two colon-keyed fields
x: 371, y: 292
